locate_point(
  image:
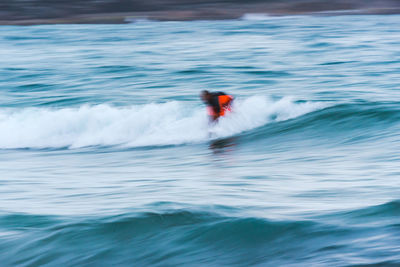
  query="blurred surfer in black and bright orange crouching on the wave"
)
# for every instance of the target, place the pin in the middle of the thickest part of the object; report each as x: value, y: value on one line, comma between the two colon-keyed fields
x: 218, y: 104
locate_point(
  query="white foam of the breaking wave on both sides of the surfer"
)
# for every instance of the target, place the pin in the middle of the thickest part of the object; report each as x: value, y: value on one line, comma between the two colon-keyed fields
x: 145, y: 125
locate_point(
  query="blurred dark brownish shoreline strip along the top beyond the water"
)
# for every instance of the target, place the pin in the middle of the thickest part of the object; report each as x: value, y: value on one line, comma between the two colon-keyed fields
x: 35, y: 12
